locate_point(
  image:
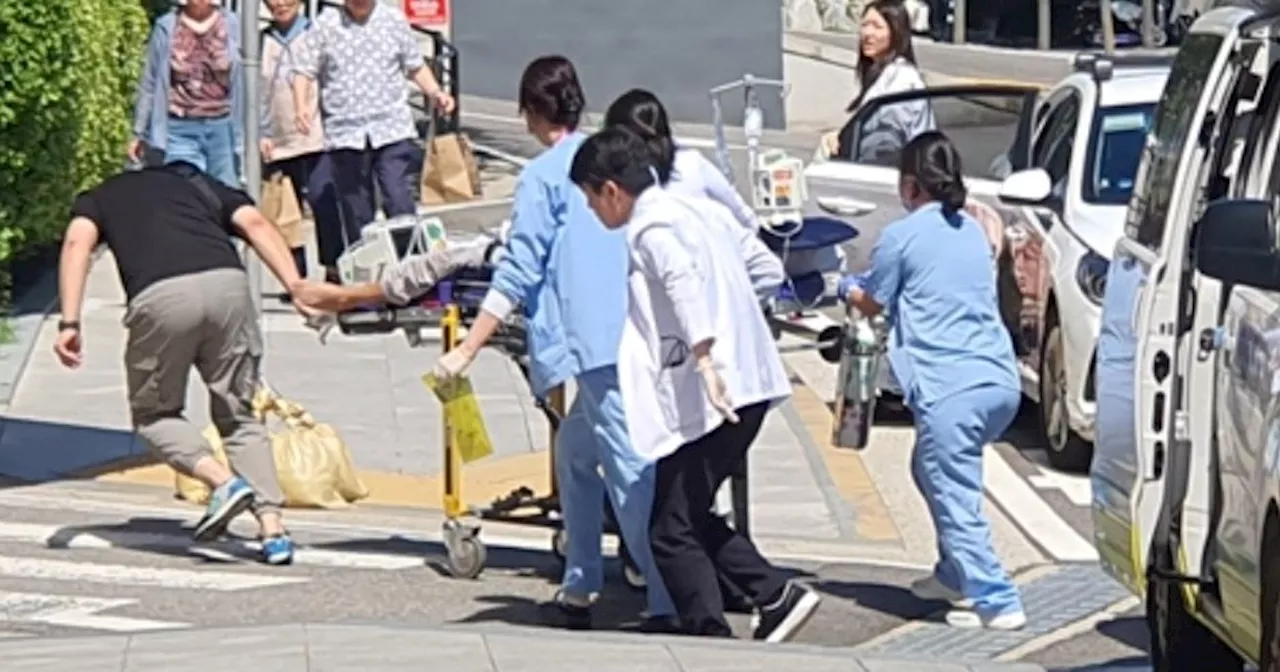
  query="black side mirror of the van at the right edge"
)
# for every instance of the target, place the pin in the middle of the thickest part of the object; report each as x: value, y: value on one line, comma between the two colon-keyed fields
x: 1236, y: 243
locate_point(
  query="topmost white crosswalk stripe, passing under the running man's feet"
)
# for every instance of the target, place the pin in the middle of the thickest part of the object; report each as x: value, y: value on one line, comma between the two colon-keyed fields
x: 56, y: 537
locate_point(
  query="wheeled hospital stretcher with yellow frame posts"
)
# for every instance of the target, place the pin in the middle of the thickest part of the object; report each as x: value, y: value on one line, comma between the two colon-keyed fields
x: 450, y: 307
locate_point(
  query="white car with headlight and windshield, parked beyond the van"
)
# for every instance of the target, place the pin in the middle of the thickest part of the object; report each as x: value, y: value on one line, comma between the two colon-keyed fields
x: 1068, y: 213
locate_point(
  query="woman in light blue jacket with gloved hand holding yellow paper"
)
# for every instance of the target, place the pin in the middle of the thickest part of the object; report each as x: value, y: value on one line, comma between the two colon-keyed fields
x: 570, y: 277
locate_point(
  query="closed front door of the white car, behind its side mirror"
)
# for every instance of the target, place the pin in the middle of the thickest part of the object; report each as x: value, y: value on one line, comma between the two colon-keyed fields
x: 1030, y: 255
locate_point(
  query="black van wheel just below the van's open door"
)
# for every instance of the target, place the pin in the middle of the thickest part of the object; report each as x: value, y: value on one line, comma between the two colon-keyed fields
x: 1180, y: 643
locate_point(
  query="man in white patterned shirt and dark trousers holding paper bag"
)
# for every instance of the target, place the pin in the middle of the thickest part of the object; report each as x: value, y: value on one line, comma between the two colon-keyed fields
x: 362, y: 54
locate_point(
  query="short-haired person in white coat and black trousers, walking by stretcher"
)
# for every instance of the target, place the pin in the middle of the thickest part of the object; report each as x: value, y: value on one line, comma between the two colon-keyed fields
x: 698, y: 371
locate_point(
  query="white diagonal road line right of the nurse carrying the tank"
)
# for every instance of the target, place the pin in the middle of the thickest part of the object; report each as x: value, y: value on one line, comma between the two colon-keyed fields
x: 1031, y: 514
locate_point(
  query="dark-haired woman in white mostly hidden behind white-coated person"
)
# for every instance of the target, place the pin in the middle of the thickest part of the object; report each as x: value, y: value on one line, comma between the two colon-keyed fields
x: 682, y: 170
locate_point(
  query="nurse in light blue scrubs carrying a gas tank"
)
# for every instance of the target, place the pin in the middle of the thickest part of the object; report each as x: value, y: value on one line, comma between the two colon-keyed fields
x: 956, y: 363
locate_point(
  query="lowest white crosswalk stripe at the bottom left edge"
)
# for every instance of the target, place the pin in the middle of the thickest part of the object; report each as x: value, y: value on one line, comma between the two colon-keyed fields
x: 72, y: 611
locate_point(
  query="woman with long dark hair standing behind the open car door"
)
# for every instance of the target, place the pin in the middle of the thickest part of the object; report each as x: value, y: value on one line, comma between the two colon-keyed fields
x: 886, y: 66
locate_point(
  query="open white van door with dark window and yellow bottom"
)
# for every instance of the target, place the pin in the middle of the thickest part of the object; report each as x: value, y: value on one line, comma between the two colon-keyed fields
x: 1139, y: 336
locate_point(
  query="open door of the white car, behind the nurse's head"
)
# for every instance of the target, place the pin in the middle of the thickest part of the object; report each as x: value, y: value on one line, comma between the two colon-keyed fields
x: 989, y: 124
